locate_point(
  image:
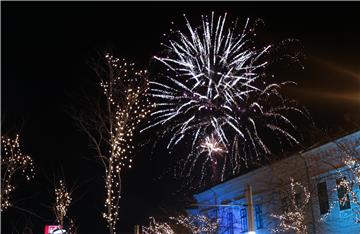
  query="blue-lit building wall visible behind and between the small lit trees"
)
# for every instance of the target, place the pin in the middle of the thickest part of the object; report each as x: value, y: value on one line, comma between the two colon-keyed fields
x: 227, y: 201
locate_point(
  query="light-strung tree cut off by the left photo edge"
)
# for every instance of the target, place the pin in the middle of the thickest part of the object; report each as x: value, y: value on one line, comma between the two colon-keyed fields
x: 13, y: 164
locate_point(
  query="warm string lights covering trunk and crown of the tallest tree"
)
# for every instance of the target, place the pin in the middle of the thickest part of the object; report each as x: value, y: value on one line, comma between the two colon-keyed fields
x: 127, y: 106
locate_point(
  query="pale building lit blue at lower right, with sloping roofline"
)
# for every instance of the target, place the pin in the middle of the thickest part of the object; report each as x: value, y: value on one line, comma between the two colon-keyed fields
x: 317, y: 173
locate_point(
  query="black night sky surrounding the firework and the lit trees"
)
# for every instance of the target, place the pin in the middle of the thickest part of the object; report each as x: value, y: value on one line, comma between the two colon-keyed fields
x: 45, y: 52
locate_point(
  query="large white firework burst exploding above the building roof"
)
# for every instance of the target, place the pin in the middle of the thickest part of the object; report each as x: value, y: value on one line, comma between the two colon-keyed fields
x: 215, y: 90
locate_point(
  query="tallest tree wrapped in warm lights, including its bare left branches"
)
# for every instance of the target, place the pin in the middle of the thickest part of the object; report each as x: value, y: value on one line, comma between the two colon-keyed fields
x: 111, y: 124
